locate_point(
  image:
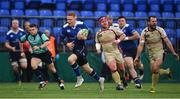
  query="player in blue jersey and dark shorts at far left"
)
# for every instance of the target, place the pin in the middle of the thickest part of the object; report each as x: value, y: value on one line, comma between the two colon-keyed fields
x: 17, y: 56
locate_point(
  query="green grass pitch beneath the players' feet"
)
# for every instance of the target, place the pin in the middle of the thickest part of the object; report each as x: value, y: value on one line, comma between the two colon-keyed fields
x: 87, y: 90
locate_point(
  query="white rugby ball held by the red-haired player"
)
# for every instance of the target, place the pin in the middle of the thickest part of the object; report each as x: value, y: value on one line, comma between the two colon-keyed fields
x: 82, y: 34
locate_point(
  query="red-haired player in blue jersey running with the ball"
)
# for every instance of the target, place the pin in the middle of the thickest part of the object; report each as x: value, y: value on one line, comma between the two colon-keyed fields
x: 78, y: 57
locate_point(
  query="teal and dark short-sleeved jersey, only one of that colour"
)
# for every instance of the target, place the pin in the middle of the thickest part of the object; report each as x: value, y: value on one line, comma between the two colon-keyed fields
x: 36, y: 40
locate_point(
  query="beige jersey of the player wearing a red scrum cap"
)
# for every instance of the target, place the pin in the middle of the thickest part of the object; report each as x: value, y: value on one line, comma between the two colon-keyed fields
x: 106, y: 39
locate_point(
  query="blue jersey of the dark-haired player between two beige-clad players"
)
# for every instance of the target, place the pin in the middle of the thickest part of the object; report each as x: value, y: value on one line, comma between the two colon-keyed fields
x: 129, y: 44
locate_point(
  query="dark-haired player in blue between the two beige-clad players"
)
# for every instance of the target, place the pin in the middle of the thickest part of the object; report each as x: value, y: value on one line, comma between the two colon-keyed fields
x: 129, y: 48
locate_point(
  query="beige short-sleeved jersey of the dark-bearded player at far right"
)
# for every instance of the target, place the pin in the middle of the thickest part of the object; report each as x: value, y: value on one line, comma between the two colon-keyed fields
x: 153, y: 39
